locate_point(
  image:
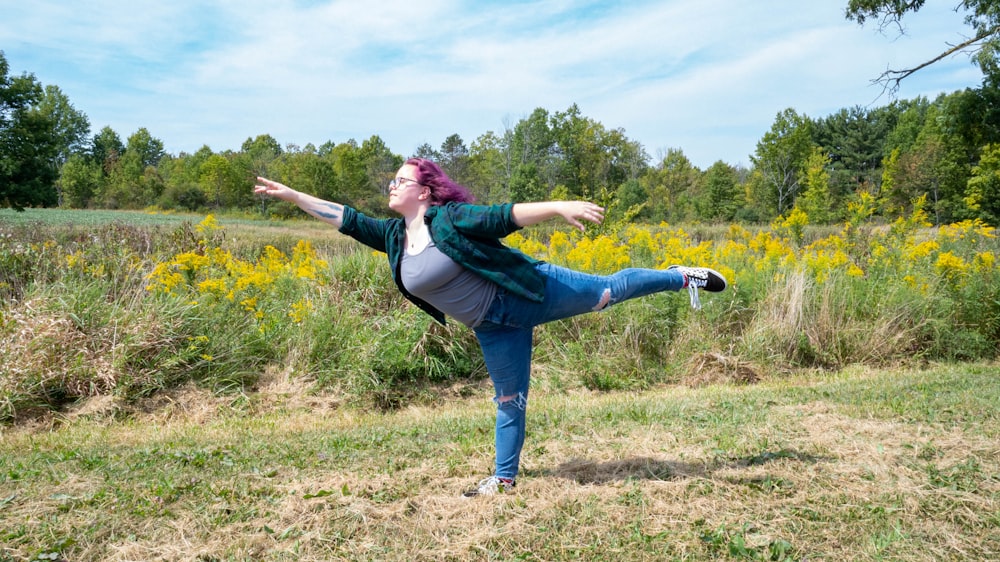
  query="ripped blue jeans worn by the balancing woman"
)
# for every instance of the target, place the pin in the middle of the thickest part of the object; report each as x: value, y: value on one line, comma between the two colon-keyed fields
x: 505, y: 336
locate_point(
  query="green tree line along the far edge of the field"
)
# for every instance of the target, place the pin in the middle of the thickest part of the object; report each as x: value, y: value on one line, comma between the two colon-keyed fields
x: 946, y: 150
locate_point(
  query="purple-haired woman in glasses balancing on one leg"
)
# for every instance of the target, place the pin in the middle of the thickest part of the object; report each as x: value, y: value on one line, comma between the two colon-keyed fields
x: 446, y: 257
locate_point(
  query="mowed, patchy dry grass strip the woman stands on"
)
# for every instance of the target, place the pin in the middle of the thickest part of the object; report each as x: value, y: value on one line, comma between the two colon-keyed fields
x: 858, y: 465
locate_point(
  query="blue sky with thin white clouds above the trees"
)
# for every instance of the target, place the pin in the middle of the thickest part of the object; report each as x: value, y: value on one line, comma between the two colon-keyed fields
x: 707, y: 77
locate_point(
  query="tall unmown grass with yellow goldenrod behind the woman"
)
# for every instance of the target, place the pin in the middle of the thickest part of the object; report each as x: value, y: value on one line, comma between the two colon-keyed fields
x: 126, y: 309
